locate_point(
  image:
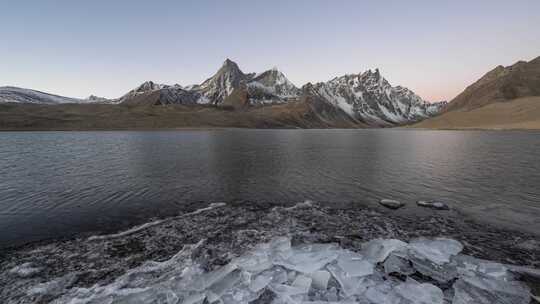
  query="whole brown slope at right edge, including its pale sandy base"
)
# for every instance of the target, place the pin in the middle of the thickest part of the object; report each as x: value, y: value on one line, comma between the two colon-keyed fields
x: 504, y: 98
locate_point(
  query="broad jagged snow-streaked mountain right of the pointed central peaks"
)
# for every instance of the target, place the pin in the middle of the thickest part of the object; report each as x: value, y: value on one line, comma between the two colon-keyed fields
x: 370, y: 98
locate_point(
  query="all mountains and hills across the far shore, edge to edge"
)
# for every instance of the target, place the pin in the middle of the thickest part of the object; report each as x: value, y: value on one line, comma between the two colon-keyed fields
x: 504, y: 98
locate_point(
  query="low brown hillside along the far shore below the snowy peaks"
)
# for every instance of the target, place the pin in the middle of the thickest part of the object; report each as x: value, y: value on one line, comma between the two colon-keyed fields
x: 143, y: 114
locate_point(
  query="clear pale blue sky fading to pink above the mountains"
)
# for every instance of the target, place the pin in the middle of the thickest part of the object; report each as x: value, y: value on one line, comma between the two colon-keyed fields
x: 436, y: 48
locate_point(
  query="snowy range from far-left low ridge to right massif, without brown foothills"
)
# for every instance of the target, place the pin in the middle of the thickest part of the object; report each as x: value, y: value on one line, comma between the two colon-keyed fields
x: 365, y: 98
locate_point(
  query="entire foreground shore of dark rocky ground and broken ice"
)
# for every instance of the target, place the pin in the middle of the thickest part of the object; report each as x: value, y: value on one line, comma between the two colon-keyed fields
x: 209, y: 240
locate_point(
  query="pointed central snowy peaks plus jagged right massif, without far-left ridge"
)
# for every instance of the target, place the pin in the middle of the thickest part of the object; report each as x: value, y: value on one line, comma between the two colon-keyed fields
x: 366, y: 97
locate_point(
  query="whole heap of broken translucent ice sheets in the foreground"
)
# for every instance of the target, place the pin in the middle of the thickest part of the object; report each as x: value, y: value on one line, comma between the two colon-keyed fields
x: 316, y: 273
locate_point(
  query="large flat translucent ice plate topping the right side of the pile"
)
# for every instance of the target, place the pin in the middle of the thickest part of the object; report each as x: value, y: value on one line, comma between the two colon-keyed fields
x: 437, y: 250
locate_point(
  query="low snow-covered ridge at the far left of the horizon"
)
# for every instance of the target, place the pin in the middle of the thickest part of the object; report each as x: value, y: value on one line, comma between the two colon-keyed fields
x: 21, y: 95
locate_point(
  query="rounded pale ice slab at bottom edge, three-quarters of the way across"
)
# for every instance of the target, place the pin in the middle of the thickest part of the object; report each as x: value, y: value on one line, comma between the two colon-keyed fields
x: 416, y: 293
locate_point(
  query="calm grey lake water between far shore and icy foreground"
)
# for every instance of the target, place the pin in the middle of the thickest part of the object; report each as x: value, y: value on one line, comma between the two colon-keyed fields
x: 56, y: 184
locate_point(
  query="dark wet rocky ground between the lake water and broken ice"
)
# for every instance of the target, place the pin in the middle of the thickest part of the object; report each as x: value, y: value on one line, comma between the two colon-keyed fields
x: 232, y: 229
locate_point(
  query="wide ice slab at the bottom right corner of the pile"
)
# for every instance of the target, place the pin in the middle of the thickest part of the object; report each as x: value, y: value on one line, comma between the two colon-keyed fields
x: 481, y: 289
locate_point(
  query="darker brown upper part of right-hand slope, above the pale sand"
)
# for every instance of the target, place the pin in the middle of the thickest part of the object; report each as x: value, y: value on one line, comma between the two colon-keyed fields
x: 521, y: 79
